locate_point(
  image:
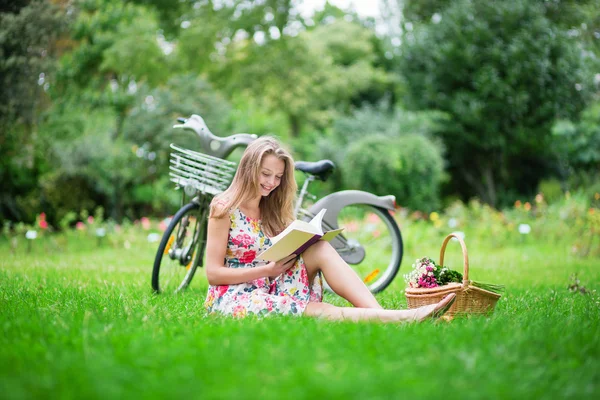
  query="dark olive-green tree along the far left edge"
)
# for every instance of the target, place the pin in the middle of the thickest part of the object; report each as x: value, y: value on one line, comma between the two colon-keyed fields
x: 29, y: 31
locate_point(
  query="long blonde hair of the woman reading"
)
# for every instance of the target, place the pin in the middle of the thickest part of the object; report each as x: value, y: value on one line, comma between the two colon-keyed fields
x: 276, y: 209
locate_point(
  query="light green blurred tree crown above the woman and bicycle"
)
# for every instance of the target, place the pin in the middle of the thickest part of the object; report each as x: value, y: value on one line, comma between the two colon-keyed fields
x: 310, y: 77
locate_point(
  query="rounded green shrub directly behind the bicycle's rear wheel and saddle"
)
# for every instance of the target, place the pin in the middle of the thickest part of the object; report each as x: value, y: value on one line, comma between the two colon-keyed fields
x: 409, y: 167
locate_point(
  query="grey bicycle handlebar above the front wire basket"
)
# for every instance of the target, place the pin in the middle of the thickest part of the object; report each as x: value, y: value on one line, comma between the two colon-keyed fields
x: 211, y: 144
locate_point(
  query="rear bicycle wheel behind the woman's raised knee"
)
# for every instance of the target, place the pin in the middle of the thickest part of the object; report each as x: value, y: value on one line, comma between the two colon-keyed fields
x: 371, y: 244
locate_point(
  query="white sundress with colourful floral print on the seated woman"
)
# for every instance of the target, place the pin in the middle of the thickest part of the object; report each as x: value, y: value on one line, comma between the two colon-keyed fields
x: 288, y: 294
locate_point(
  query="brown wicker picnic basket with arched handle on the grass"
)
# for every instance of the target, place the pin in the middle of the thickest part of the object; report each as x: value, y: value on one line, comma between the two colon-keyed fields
x: 469, y: 299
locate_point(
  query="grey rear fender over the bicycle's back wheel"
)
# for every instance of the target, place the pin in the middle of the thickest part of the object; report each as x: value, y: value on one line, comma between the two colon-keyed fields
x: 338, y: 200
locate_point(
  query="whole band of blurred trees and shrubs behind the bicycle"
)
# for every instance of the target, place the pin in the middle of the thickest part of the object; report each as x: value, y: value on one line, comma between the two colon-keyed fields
x: 438, y: 100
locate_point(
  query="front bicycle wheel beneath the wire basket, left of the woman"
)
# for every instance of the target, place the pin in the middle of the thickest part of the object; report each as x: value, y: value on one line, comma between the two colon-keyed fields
x: 180, y: 250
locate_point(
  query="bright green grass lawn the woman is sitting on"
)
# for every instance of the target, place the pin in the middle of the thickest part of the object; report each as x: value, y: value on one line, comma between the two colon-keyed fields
x: 80, y: 321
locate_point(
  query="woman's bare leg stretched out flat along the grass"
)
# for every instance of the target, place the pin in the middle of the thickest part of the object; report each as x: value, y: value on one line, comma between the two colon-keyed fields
x: 331, y: 312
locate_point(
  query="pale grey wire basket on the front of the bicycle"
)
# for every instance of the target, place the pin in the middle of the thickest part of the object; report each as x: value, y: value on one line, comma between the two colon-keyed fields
x: 206, y: 174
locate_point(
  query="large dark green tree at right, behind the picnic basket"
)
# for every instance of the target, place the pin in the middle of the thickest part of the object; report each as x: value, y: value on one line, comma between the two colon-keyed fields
x: 504, y: 73
